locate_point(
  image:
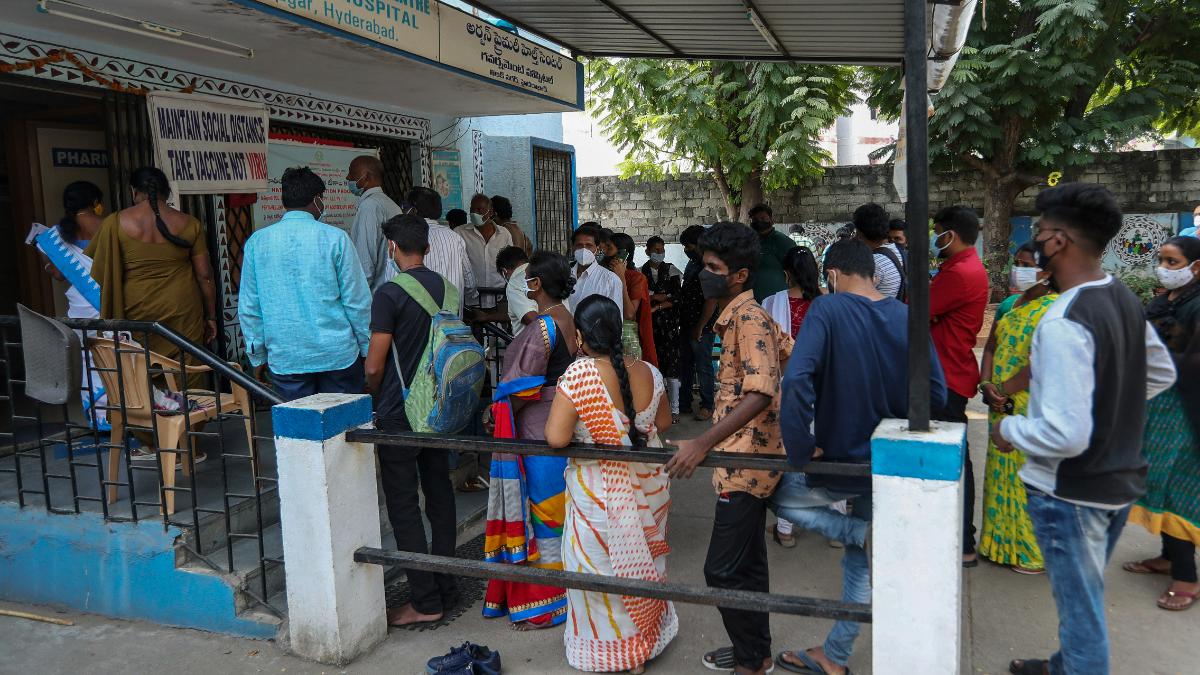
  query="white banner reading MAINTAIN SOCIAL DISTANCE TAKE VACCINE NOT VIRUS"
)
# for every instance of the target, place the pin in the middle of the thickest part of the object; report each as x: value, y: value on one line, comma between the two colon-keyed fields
x: 209, y: 146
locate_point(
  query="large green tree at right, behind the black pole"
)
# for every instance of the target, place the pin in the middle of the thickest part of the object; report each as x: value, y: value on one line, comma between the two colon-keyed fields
x: 1043, y: 85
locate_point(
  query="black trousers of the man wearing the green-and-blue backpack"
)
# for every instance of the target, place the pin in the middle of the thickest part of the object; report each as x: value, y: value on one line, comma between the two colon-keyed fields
x: 404, y: 469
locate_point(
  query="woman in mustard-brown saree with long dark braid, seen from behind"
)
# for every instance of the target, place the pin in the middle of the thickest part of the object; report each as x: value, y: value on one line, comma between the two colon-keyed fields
x: 153, y: 264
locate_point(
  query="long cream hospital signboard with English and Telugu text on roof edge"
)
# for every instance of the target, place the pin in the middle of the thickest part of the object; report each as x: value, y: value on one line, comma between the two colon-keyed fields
x: 447, y: 35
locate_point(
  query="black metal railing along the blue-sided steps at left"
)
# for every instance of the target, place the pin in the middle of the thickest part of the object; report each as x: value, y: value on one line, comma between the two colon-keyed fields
x: 62, y: 461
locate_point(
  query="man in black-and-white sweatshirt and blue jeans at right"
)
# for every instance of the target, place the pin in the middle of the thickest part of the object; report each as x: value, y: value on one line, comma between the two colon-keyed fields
x: 1094, y: 365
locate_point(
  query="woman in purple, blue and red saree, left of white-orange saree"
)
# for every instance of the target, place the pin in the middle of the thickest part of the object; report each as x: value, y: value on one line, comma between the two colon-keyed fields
x: 526, y: 501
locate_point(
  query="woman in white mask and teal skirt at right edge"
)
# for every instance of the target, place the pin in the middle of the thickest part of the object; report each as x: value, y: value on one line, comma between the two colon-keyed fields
x: 1172, y: 441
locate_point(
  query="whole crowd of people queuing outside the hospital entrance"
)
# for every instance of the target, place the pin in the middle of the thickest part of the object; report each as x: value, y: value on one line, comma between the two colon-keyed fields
x: 813, y: 357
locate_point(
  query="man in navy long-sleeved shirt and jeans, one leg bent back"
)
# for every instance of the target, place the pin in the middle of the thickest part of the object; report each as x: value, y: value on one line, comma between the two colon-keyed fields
x: 849, y: 372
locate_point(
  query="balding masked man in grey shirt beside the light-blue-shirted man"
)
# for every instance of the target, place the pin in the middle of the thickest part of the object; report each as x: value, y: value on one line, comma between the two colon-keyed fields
x: 364, y: 180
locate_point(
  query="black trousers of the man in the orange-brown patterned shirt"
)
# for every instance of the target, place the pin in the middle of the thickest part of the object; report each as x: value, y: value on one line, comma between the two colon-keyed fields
x: 737, y: 559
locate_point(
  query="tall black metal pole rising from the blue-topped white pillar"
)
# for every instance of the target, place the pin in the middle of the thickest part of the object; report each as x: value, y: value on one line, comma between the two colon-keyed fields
x: 917, y: 211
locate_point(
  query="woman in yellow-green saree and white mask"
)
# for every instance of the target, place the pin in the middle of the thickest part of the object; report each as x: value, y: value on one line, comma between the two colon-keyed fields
x: 1007, y: 536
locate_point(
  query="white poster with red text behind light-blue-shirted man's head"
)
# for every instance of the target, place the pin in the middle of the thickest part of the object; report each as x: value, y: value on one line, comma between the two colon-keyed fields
x: 331, y: 163
